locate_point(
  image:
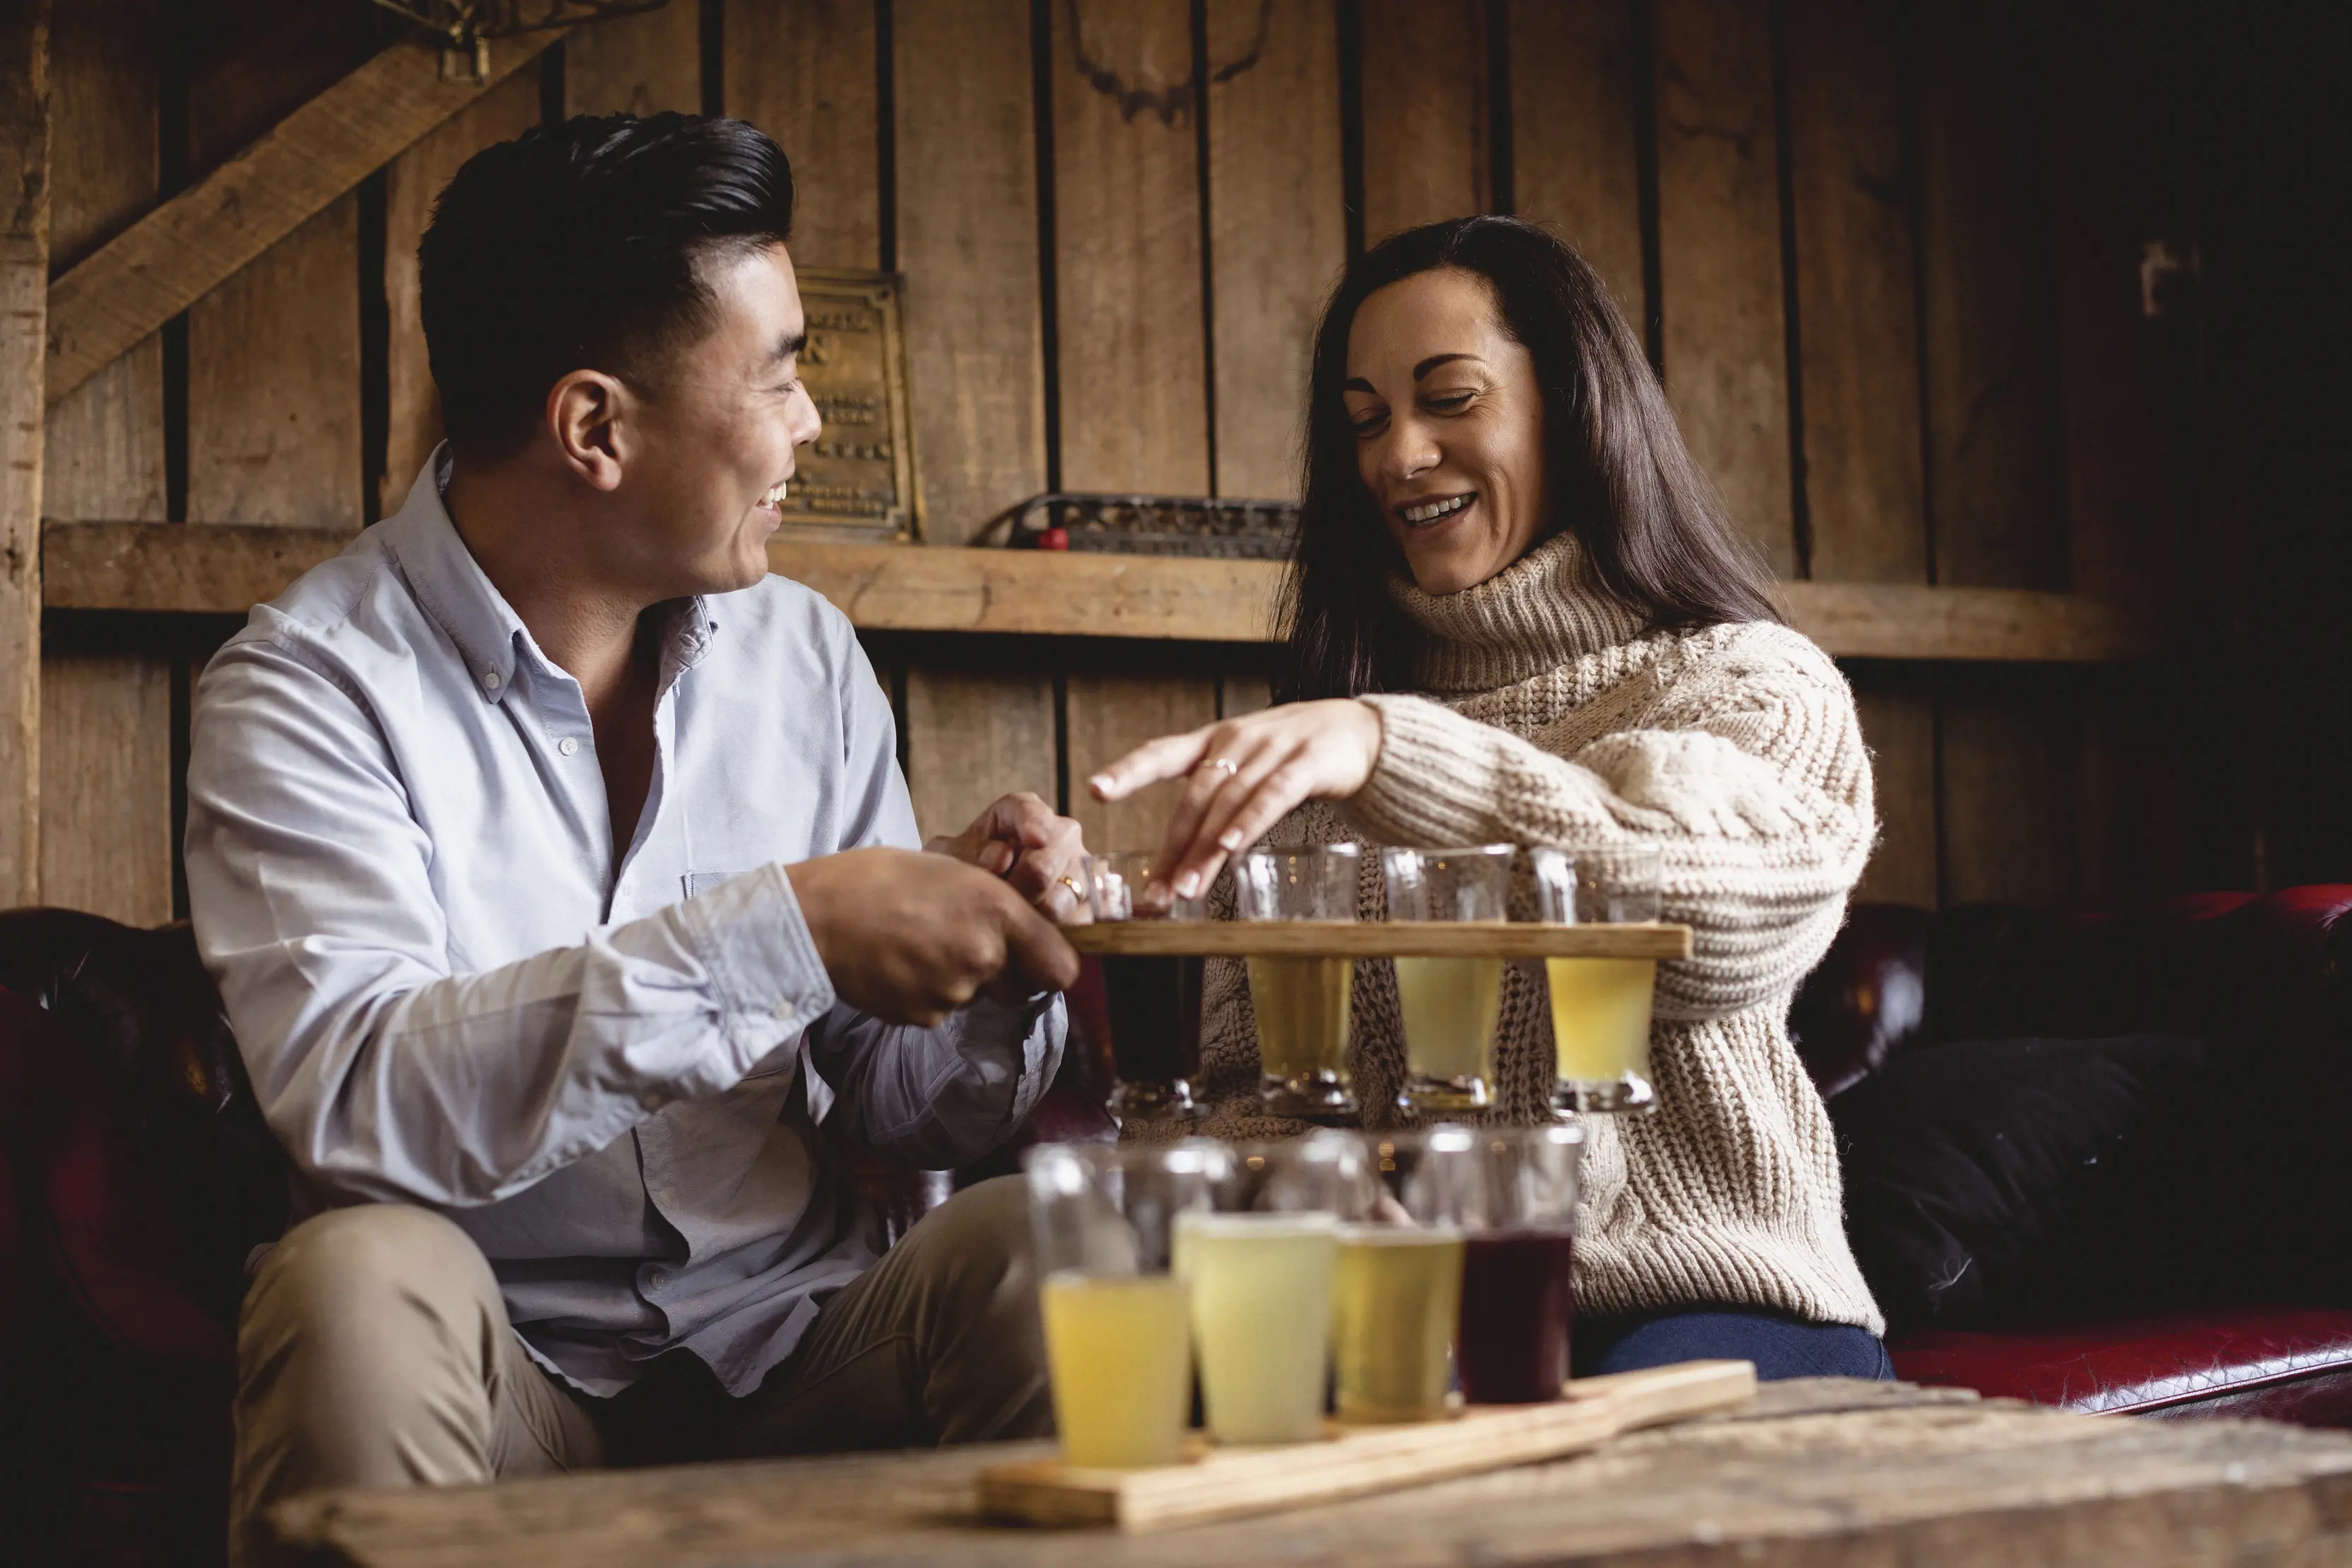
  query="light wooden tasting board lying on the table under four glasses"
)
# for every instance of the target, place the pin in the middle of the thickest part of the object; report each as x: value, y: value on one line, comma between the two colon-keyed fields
x: 1351, y: 1461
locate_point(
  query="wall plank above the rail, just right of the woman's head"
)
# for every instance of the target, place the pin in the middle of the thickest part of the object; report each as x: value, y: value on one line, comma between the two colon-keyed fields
x: 1720, y: 260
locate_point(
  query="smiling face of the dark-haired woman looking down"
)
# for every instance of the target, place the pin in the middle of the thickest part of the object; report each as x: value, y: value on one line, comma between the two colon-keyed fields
x: 1448, y: 427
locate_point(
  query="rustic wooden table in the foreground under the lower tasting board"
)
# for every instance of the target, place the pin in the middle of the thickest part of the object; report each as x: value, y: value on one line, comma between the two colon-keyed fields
x: 1822, y: 1475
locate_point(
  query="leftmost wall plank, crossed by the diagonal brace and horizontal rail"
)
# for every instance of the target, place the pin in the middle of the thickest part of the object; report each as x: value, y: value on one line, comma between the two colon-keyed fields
x: 107, y: 723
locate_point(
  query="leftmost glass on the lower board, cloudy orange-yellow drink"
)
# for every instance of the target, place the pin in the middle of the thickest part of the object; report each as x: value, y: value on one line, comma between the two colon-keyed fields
x: 1118, y: 1325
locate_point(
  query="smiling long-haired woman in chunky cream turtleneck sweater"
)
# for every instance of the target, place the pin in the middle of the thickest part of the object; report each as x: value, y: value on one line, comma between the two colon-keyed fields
x: 1518, y: 615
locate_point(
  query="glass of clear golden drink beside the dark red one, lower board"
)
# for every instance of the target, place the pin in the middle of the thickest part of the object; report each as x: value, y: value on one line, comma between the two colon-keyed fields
x: 1396, y: 1296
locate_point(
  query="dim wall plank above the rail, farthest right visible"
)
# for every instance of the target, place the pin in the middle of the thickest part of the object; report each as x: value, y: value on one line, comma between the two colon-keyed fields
x: 1984, y: 264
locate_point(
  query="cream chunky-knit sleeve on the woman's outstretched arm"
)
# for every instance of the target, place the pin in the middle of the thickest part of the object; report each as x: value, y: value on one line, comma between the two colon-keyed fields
x: 1746, y: 772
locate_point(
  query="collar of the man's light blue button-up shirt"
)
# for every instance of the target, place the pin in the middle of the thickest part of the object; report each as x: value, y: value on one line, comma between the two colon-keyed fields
x: 467, y: 605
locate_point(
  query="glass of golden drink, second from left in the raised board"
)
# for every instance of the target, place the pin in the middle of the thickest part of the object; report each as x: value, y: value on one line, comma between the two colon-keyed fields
x: 1302, y: 1003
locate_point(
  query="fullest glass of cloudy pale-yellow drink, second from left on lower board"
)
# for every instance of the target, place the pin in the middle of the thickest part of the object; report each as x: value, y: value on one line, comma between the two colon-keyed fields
x: 1259, y: 1271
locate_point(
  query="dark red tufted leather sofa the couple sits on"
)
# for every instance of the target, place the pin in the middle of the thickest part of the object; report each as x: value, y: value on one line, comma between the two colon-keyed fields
x: 138, y: 1177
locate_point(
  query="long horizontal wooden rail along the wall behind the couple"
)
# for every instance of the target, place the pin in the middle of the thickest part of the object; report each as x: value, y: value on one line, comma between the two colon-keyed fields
x: 937, y: 589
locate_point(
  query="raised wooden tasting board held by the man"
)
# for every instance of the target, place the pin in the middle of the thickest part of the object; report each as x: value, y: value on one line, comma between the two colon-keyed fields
x: 1391, y: 939
